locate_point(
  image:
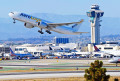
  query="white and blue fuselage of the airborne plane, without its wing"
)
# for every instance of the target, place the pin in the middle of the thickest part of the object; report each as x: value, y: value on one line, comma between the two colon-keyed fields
x: 34, y: 22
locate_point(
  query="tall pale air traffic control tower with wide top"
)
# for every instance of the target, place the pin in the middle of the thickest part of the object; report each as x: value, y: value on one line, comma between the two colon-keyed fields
x: 95, y: 13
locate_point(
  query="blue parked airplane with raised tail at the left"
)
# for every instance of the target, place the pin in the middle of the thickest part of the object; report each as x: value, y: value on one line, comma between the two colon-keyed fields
x: 19, y: 56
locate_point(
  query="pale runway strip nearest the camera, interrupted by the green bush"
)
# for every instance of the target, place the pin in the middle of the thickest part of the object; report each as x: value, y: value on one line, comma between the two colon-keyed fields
x: 48, y: 74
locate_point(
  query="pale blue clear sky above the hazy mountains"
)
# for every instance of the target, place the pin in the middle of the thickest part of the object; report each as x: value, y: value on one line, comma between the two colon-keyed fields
x: 111, y: 7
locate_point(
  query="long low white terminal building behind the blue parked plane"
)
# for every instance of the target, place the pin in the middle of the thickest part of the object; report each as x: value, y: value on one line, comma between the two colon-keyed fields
x: 37, y: 49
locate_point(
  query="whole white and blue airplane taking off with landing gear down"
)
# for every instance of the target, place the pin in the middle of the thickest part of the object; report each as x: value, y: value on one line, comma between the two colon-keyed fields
x: 31, y: 22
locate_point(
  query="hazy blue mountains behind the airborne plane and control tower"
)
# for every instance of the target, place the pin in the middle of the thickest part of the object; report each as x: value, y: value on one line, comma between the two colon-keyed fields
x: 10, y: 30
